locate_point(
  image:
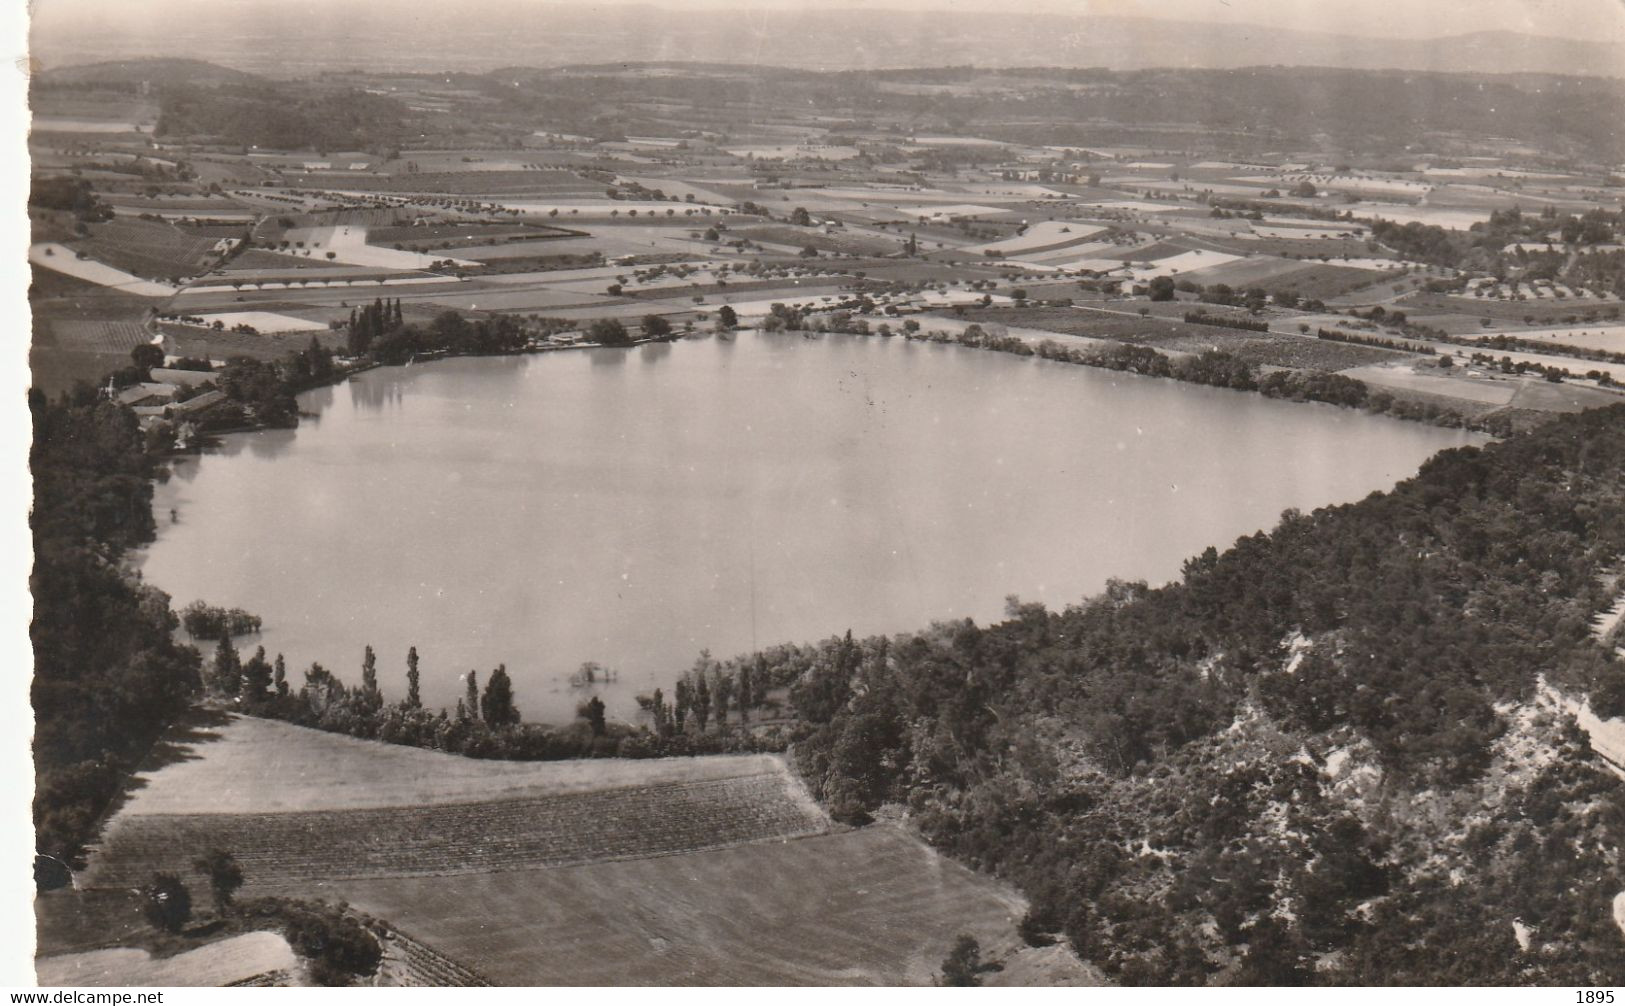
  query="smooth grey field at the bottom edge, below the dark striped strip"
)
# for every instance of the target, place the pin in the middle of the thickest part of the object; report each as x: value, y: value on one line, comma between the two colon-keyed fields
x: 864, y: 908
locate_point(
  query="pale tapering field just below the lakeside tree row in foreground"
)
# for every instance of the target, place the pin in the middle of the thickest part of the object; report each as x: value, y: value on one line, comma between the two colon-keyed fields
x: 266, y: 766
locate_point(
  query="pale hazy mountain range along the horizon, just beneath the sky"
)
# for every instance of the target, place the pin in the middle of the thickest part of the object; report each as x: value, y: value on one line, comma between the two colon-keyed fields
x: 295, y: 38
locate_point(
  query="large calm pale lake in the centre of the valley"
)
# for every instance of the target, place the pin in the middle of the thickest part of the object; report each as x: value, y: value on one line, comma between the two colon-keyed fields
x: 638, y: 506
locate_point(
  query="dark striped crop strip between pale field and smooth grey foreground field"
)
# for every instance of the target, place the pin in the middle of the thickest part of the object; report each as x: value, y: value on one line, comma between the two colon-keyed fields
x: 493, y: 836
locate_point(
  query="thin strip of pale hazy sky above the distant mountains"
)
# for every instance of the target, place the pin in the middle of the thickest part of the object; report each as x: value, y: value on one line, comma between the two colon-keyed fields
x: 1597, y: 20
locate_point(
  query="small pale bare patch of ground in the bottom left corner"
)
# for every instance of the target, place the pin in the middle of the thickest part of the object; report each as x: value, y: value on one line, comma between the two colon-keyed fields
x: 215, y: 965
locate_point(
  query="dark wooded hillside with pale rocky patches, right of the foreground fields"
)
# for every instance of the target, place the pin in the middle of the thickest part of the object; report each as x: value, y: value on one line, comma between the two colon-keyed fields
x: 1317, y: 758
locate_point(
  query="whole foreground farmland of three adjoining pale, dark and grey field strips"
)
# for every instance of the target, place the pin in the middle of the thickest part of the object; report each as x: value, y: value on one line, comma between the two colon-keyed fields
x: 628, y: 872
